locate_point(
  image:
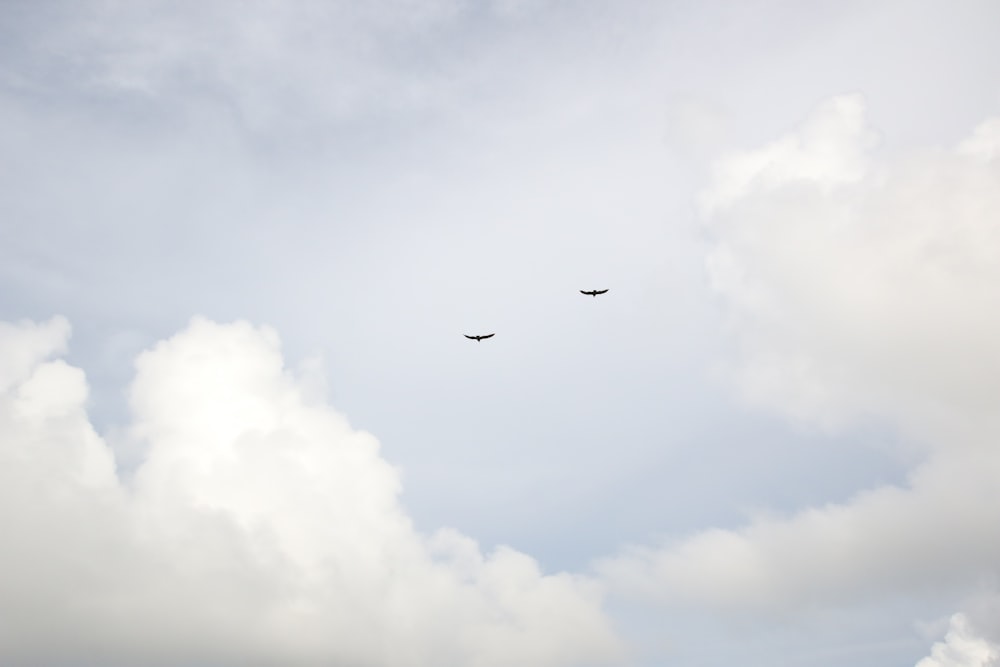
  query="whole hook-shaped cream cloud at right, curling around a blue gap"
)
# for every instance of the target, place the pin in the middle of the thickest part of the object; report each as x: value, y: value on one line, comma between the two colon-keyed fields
x: 858, y: 287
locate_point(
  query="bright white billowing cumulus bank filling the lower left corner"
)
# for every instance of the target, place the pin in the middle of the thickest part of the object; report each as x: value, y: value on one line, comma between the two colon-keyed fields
x: 261, y: 528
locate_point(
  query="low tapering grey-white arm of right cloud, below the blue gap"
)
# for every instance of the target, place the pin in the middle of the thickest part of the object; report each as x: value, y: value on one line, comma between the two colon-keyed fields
x: 930, y: 536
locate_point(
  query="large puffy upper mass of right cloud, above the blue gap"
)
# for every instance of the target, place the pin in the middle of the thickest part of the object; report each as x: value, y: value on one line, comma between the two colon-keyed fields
x: 860, y: 288
